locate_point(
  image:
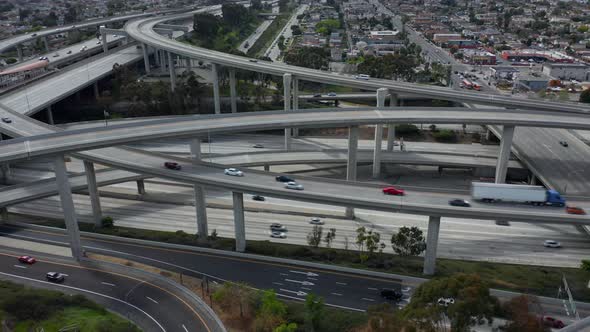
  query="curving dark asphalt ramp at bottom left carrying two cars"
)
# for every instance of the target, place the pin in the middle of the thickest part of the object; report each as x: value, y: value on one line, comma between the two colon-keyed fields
x: 153, y: 307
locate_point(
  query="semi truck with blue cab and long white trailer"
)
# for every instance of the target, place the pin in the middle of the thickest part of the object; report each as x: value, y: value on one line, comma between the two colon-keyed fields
x: 499, y: 192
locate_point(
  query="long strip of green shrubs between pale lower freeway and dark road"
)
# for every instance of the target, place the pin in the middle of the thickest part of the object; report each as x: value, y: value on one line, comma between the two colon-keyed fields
x: 537, y: 280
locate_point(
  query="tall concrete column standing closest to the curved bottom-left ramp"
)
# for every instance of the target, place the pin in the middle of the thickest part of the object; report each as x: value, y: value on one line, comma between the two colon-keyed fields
x: 67, y: 205
